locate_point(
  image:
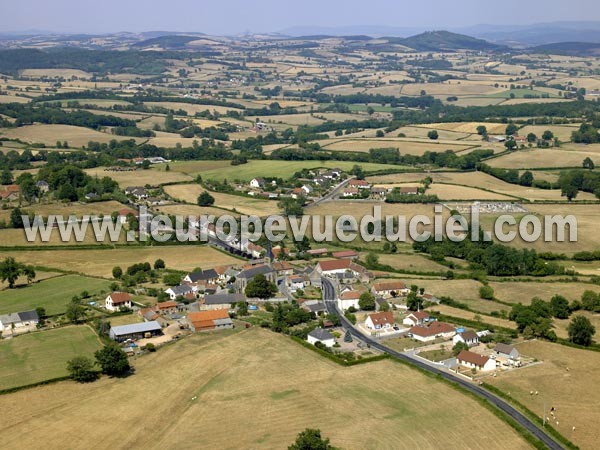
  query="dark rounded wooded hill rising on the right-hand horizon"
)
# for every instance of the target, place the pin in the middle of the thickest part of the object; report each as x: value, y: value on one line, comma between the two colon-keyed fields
x: 445, y: 40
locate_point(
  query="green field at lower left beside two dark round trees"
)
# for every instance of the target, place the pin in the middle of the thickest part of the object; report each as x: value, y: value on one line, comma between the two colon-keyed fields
x: 41, y: 356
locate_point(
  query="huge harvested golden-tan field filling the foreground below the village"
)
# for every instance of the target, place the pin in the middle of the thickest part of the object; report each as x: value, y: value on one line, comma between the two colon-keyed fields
x: 226, y: 372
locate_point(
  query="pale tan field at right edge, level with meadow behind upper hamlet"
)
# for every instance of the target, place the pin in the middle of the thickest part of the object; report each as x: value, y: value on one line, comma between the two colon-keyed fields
x: 542, y: 158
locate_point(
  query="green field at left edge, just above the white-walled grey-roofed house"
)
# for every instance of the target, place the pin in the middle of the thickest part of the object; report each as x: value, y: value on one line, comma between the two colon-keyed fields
x: 52, y: 294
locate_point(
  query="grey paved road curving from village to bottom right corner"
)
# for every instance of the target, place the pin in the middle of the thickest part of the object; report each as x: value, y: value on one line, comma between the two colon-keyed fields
x: 329, y: 297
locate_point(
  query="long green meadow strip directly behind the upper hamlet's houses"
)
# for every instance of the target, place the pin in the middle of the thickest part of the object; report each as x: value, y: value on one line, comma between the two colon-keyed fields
x: 219, y: 170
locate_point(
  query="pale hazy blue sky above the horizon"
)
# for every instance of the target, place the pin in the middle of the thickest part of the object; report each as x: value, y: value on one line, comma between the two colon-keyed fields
x: 237, y: 16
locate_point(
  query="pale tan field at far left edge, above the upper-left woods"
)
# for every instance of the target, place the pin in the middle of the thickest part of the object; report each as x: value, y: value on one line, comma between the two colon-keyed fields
x: 49, y: 134
